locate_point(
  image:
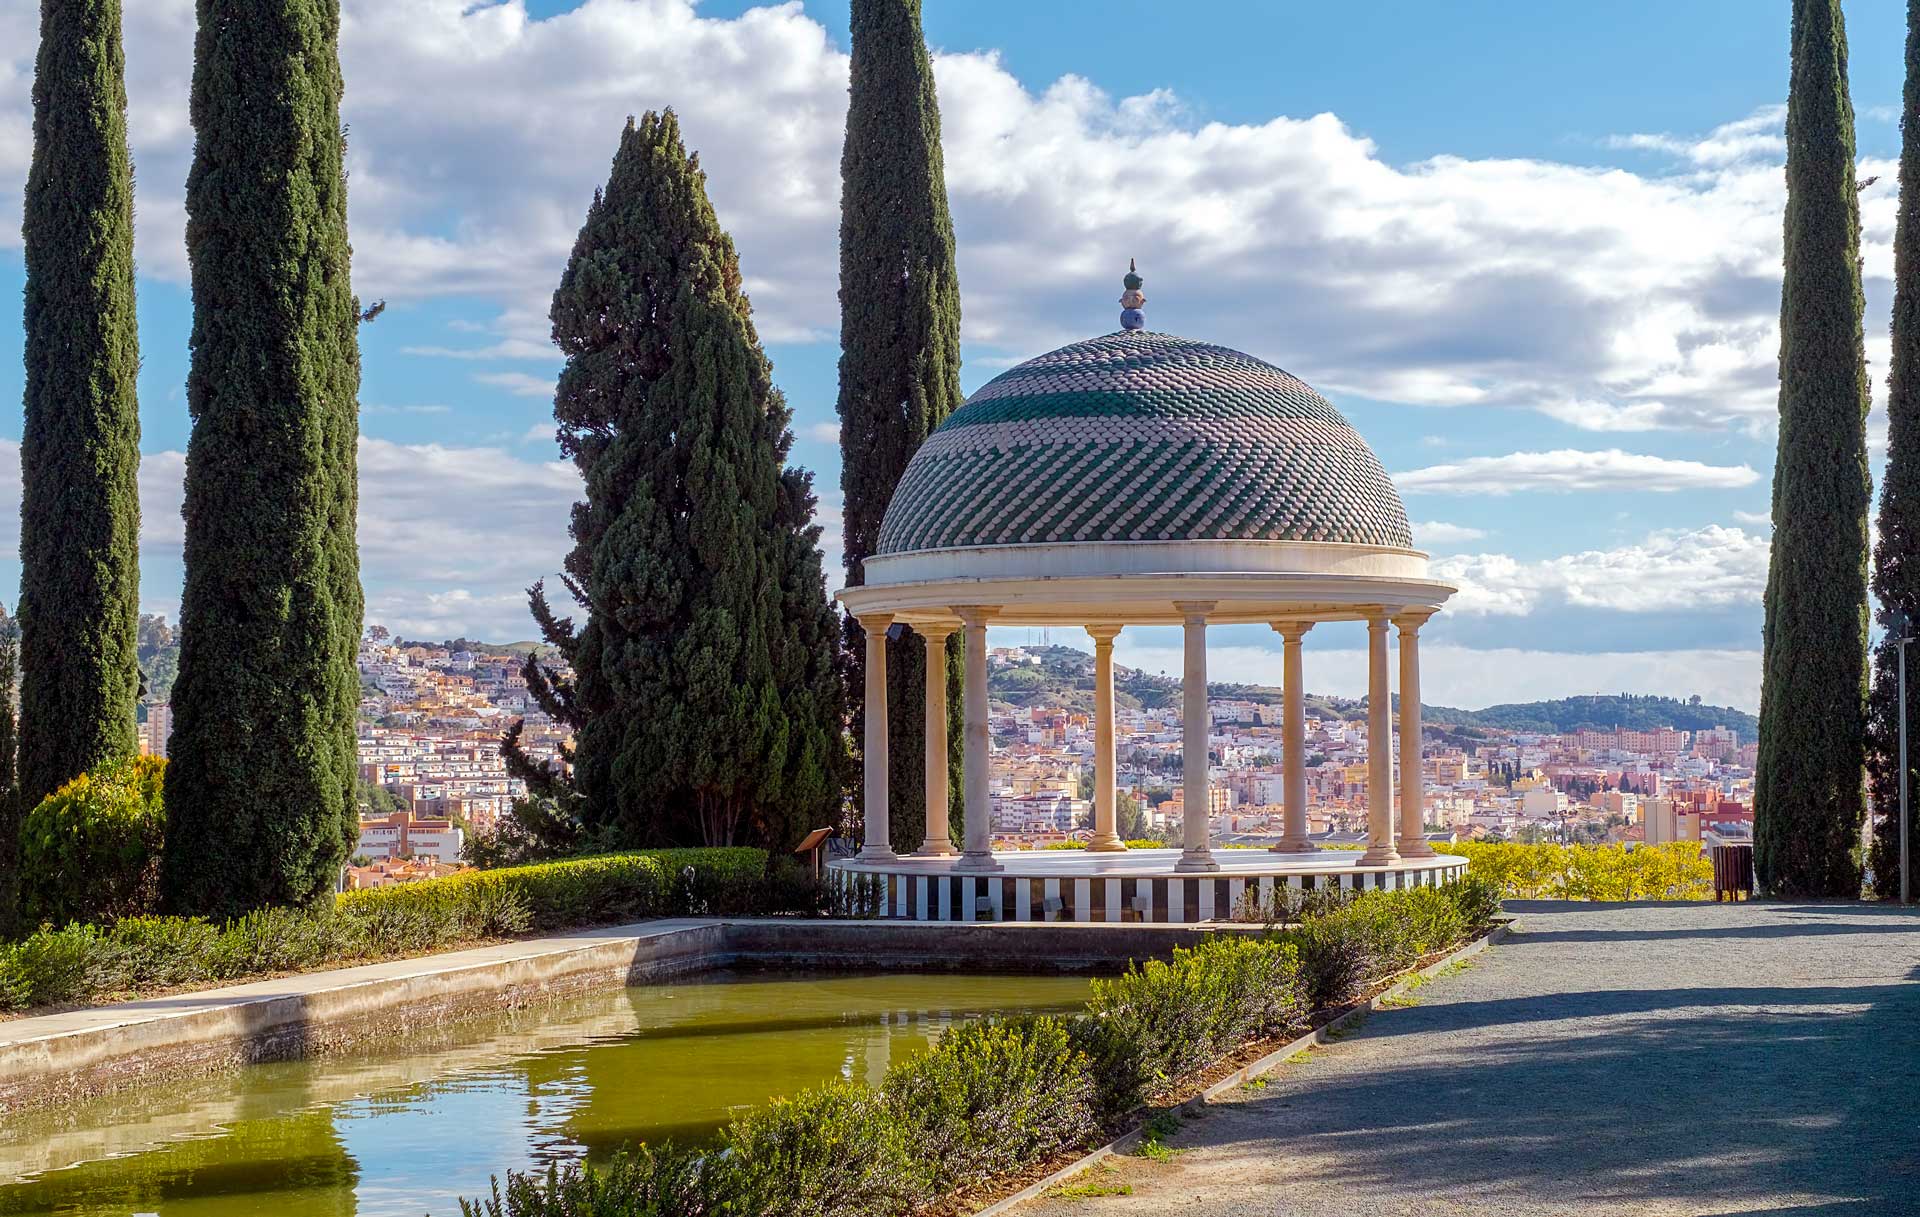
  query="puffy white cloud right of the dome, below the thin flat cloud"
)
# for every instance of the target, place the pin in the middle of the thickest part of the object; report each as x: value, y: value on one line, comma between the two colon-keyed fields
x: 1668, y: 571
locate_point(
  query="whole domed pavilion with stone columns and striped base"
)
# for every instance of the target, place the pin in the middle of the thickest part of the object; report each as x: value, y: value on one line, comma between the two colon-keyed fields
x: 1141, y: 479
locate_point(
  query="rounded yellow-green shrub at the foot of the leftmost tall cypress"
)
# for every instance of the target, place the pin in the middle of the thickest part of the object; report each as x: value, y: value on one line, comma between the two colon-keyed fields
x: 91, y: 851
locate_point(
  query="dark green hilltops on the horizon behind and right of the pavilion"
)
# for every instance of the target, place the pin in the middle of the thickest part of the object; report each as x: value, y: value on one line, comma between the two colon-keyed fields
x: 1065, y: 679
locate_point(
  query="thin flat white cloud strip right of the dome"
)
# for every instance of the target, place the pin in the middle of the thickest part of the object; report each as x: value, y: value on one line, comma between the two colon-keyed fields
x: 1572, y: 469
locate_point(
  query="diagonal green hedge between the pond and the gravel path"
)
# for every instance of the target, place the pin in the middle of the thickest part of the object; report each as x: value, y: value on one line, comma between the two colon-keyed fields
x: 997, y: 1097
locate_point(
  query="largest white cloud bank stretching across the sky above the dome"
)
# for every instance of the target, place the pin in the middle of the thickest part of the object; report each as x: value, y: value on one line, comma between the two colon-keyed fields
x: 1610, y: 298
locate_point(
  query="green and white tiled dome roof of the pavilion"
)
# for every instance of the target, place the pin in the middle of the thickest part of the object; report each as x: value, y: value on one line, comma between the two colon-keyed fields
x: 1140, y: 437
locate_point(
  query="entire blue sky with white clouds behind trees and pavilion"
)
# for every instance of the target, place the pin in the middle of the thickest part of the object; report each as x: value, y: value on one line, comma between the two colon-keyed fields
x: 1531, y: 252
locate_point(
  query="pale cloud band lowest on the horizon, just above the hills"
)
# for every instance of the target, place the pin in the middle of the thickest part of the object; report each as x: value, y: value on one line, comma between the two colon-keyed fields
x: 1470, y: 679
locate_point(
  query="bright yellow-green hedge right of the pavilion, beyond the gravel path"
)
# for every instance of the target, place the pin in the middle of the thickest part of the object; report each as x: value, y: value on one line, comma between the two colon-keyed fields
x: 1591, y: 872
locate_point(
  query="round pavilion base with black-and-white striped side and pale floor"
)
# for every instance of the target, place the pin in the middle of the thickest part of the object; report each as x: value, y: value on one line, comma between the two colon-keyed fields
x: 1134, y: 886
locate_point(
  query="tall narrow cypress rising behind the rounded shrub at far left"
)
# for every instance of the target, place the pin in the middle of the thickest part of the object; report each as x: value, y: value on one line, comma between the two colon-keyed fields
x: 80, y: 544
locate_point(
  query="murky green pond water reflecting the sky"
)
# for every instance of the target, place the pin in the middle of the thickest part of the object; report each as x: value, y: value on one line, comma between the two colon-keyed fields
x: 416, y: 1128
